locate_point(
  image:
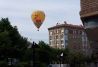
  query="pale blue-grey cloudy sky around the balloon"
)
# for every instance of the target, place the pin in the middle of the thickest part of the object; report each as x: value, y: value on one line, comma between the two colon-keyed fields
x: 19, y: 13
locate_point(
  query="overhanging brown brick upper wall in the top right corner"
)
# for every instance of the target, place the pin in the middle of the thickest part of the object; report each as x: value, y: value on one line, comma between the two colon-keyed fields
x: 89, y: 8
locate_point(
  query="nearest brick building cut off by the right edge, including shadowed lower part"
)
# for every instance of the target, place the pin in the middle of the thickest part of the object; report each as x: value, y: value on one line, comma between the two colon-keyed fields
x: 89, y: 17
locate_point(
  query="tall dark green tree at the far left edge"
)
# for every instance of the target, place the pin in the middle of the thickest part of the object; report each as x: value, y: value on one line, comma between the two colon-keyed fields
x: 12, y: 44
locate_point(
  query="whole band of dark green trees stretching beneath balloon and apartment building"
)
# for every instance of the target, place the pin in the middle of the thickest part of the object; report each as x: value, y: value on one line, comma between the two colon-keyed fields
x: 14, y: 46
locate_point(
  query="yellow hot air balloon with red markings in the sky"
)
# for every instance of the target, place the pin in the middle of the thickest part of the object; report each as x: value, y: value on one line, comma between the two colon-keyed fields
x: 38, y: 17
